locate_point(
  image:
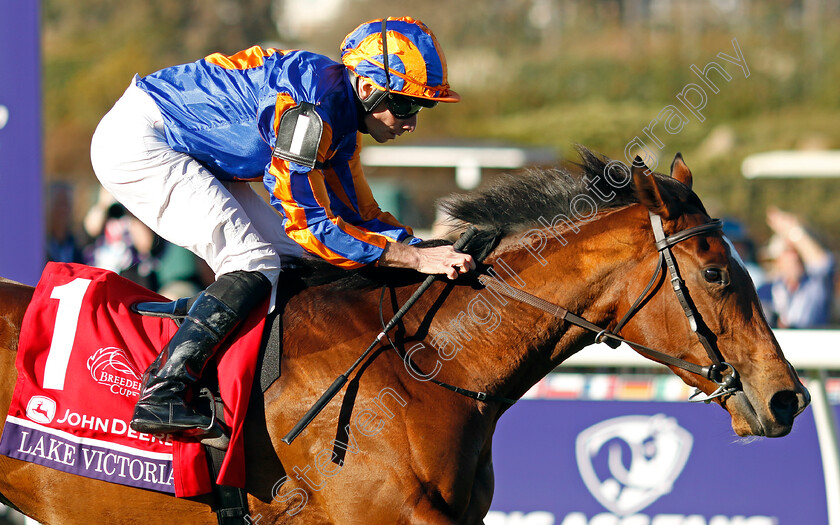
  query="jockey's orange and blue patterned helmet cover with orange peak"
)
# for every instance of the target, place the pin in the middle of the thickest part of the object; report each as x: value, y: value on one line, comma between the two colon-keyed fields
x: 414, y: 65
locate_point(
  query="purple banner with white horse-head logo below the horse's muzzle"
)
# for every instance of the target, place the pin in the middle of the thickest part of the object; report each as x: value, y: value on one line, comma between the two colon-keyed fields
x: 650, y: 463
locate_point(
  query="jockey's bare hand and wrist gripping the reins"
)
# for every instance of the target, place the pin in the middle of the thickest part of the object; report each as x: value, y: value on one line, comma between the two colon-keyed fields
x: 435, y: 260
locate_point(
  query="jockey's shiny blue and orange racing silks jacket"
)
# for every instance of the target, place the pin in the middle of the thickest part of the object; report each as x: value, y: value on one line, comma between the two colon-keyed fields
x: 224, y: 111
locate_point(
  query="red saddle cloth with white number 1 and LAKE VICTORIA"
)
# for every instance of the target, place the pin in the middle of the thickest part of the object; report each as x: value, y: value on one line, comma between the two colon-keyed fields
x: 80, y: 359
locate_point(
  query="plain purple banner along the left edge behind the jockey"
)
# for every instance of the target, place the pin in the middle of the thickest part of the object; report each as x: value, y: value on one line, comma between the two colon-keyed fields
x: 21, y: 222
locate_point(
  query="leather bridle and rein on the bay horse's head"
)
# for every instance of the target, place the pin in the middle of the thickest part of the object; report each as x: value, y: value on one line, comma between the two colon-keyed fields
x: 728, y: 383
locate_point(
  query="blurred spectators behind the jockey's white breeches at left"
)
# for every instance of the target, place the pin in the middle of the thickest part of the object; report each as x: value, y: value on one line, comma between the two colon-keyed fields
x: 113, y: 239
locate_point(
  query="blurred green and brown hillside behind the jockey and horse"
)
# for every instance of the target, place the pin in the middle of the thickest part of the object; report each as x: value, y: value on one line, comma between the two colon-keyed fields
x: 533, y: 72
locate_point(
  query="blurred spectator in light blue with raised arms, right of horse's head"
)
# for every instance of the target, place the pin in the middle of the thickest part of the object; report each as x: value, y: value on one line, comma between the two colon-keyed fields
x: 800, y: 288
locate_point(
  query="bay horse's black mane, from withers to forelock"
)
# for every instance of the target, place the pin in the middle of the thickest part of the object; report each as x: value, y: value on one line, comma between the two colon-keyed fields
x: 512, y: 203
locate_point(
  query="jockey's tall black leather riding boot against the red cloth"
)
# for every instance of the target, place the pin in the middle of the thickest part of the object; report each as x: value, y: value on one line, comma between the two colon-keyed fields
x: 162, y: 407
